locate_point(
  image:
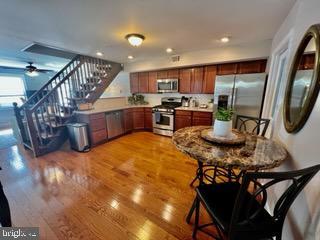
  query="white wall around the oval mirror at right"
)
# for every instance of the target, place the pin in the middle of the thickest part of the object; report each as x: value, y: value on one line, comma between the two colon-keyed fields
x: 303, y: 221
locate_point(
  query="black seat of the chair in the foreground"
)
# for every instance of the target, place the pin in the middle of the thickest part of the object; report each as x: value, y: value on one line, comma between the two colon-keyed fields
x: 219, y: 200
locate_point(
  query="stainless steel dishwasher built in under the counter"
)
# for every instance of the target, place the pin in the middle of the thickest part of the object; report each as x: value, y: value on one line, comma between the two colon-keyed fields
x: 114, y: 124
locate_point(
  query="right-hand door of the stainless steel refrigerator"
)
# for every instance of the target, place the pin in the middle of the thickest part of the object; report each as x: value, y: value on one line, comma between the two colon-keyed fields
x: 248, y: 93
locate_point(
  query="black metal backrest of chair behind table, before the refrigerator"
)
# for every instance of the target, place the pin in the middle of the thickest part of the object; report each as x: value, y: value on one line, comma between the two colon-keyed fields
x: 254, y: 125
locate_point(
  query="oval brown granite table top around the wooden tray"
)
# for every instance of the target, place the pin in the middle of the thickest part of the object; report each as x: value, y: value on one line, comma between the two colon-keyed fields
x: 257, y: 153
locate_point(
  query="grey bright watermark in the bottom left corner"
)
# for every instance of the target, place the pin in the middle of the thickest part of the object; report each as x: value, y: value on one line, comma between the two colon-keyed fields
x: 17, y: 233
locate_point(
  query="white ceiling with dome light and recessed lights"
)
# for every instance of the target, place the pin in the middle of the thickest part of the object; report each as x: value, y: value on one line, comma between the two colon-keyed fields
x: 100, y: 25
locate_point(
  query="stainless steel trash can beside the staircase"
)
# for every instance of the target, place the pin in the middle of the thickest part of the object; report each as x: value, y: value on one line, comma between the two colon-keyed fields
x: 78, y: 136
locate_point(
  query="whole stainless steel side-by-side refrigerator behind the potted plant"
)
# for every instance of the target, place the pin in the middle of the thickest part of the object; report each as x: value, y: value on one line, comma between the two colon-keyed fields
x: 245, y: 91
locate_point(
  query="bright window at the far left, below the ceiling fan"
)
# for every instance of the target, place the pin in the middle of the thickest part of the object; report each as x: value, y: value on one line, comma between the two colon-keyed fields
x: 11, y: 90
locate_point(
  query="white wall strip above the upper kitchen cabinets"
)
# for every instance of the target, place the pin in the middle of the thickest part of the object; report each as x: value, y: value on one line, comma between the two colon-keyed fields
x: 216, y: 55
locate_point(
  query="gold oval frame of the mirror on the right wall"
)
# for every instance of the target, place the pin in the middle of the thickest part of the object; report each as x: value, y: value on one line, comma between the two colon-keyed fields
x: 293, y: 127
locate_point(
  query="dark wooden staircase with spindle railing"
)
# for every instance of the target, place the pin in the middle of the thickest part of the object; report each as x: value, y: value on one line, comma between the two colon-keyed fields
x: 42, y: 119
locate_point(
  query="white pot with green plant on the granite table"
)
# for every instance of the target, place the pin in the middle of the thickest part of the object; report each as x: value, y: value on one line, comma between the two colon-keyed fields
x: 223, y: 122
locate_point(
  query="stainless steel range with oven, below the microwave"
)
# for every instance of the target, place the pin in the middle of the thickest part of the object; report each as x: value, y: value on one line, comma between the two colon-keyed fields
x: 163, y: 116
